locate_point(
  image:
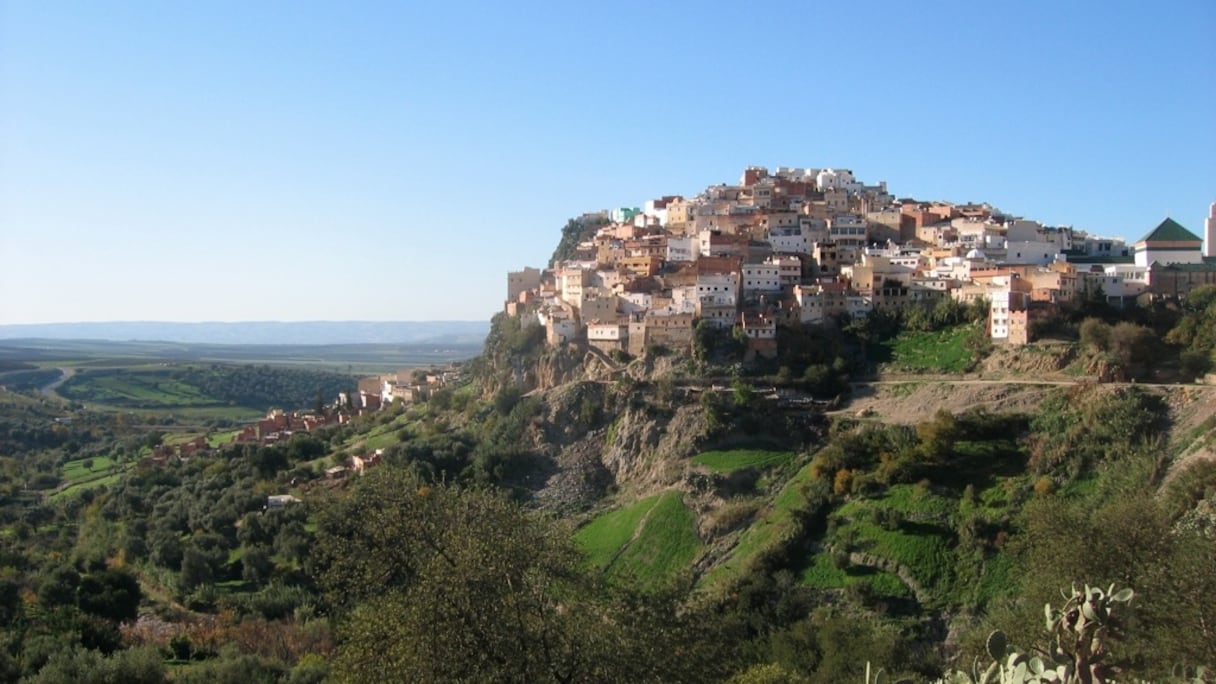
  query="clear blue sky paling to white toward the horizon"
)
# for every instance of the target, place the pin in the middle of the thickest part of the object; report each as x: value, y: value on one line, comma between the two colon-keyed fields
x: 337, y: 161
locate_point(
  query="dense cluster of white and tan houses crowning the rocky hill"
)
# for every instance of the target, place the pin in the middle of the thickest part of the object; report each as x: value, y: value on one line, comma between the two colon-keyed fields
x: 800, y: 246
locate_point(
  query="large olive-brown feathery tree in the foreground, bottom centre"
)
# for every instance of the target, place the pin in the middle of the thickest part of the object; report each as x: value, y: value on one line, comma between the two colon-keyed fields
x: 444, y: 584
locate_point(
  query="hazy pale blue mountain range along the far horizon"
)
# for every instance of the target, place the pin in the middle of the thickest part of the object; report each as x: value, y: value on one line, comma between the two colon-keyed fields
x: 263, y: 333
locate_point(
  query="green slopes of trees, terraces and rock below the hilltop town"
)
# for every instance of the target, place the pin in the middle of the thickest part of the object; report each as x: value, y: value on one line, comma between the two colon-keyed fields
x: 671, y: 518
